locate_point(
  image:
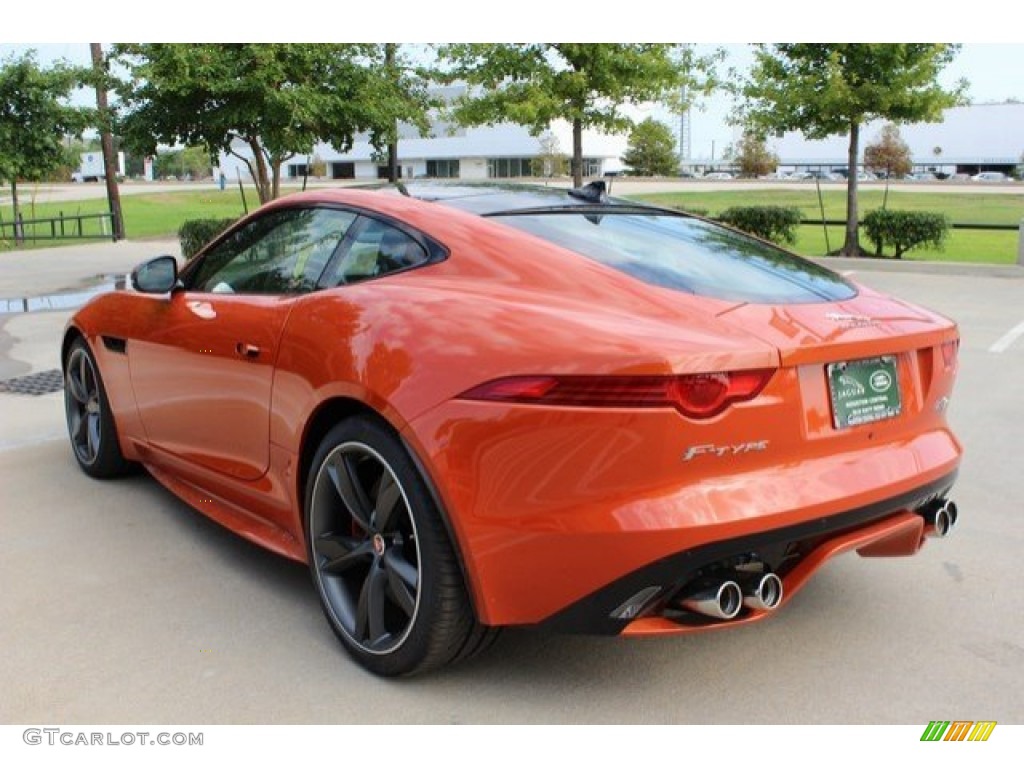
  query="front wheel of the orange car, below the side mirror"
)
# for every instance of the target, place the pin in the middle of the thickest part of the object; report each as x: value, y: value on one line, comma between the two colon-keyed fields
x: 91, y: 423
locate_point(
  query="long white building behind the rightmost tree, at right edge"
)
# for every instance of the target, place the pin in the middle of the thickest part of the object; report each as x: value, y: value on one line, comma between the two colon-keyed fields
x: 969, y: 140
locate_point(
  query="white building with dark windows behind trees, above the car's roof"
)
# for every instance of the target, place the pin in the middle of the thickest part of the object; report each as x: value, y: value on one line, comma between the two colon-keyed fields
x: 504, y: 151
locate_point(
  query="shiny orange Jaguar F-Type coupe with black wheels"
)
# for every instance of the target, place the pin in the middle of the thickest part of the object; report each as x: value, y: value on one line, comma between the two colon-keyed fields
x: 468, y: 408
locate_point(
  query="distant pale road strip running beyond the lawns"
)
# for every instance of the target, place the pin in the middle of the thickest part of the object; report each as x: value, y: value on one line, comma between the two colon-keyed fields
x: 620, y: 187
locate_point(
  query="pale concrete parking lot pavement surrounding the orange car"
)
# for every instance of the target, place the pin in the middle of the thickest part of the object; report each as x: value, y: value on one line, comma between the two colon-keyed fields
x: 122, y: 605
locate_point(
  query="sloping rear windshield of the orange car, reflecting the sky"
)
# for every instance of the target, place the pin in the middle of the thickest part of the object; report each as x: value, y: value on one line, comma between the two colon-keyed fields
x: 687, y: 254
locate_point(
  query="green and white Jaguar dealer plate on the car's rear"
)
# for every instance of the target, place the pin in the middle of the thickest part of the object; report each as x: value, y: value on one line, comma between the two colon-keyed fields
x: 864, y: 392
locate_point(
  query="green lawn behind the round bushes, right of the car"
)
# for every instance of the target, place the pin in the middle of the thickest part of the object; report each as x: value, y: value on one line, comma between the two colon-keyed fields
x: 962, y: 245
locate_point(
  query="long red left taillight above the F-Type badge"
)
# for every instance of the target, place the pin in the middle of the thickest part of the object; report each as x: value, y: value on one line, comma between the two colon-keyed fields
x: 696, y: 396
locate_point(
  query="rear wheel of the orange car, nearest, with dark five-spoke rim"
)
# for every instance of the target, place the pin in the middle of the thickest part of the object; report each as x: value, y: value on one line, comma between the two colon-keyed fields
x: 381, y: 560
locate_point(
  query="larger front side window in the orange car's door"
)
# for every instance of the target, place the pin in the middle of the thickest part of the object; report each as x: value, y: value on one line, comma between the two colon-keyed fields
x: 284, y: 252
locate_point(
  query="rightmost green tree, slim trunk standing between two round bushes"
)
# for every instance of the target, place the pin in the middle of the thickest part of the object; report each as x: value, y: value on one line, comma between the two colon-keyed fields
x: 835, y: 89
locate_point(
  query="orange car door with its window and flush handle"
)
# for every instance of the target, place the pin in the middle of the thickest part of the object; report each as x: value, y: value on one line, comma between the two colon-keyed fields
x: 203, y: 366
